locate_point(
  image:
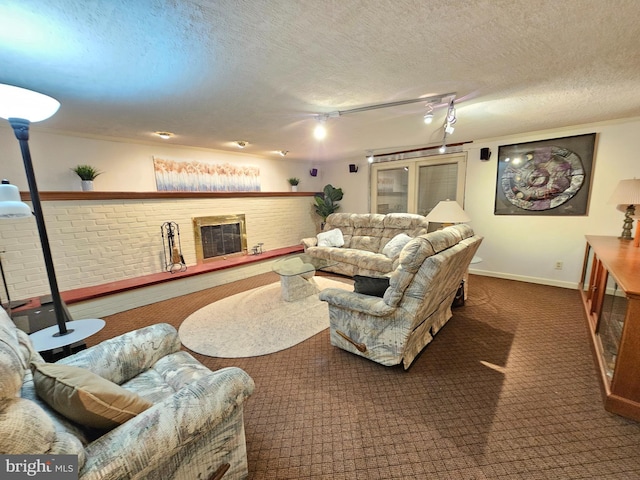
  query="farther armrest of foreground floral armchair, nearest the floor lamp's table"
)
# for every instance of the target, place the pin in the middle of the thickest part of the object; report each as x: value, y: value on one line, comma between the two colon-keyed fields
x: 123, y: 357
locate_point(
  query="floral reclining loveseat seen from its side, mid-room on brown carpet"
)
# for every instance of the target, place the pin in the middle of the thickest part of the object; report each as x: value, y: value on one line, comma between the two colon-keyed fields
x: 417, y: 303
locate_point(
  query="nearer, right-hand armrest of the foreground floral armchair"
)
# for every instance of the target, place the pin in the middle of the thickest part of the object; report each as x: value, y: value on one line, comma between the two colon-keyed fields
x: 177, y: 422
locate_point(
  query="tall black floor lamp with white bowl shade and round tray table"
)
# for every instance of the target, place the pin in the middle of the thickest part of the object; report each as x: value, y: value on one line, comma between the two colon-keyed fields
x: 21, y: 107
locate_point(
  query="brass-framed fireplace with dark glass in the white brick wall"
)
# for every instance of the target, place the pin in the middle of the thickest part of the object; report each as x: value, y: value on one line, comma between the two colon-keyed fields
x: 219, y: 237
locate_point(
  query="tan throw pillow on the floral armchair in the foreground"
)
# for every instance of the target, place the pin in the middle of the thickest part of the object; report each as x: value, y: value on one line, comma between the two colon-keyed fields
x: 84, y: 397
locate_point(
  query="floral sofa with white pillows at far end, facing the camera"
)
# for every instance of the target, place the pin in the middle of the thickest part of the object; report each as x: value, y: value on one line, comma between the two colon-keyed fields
x: 368, y: 241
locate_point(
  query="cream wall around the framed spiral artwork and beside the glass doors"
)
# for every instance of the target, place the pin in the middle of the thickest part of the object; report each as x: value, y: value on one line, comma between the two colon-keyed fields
x: 528, y: 247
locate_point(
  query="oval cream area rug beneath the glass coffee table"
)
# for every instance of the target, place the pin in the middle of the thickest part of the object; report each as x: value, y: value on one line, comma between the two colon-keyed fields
x: 256, y: 322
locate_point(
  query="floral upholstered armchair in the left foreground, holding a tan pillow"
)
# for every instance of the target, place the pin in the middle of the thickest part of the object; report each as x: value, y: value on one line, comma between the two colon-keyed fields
x: 191, y: 426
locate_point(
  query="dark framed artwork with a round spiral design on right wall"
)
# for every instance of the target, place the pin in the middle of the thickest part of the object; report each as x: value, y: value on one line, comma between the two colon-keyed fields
x: 547, y: 177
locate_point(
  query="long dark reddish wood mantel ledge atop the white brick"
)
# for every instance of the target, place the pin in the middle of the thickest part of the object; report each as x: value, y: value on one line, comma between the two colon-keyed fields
x: 97, y: 196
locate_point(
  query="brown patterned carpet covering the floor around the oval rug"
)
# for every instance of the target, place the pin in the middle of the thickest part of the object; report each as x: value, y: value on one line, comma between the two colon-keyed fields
x: 507, y: 390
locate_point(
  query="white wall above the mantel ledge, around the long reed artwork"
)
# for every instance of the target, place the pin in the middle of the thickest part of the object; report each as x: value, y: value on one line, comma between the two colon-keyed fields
x: 128, y: 167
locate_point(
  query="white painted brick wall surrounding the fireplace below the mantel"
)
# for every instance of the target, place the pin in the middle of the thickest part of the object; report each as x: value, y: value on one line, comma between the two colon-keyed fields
x: 95, y: 242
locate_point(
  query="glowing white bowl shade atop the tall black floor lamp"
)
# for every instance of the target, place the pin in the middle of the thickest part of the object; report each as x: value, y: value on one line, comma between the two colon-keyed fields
x: 16, y: 102
